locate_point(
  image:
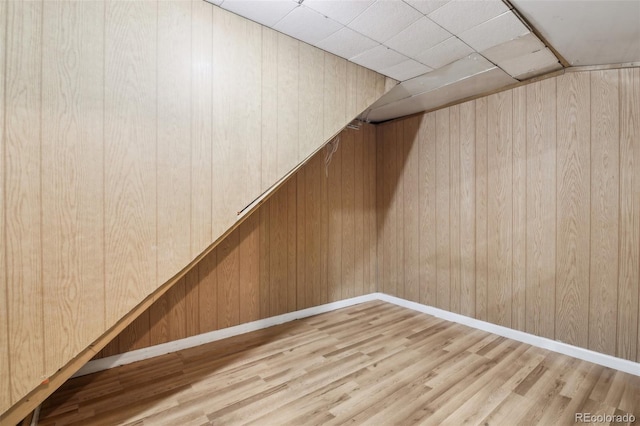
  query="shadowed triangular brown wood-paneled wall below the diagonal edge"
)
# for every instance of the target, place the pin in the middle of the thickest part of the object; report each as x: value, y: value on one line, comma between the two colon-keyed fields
x: 312, y: 242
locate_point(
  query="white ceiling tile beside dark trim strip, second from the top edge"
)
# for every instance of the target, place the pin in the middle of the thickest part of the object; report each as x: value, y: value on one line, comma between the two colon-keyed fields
x: 494, y: 32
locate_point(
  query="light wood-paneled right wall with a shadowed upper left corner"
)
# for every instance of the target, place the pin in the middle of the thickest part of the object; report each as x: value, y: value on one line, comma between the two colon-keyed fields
x: 522, y: 209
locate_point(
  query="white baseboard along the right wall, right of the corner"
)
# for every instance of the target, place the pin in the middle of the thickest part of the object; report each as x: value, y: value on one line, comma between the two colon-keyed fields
x: 541, y: 342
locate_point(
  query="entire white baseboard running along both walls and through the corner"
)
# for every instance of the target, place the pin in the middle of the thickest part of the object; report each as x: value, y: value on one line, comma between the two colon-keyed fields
x: 200, y: 339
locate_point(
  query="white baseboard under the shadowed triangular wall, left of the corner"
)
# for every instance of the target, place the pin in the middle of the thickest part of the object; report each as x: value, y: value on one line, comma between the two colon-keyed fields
x: 164, y: 348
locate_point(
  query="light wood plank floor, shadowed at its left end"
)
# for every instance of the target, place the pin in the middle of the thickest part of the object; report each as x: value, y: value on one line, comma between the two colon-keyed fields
x: 374, y: 363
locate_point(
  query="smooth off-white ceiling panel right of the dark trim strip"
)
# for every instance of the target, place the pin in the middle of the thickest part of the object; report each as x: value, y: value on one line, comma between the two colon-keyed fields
x: 587, y: 32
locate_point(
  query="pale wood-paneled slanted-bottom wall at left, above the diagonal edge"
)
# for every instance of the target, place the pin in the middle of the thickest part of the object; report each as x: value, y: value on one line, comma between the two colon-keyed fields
x: 132, y: 135
